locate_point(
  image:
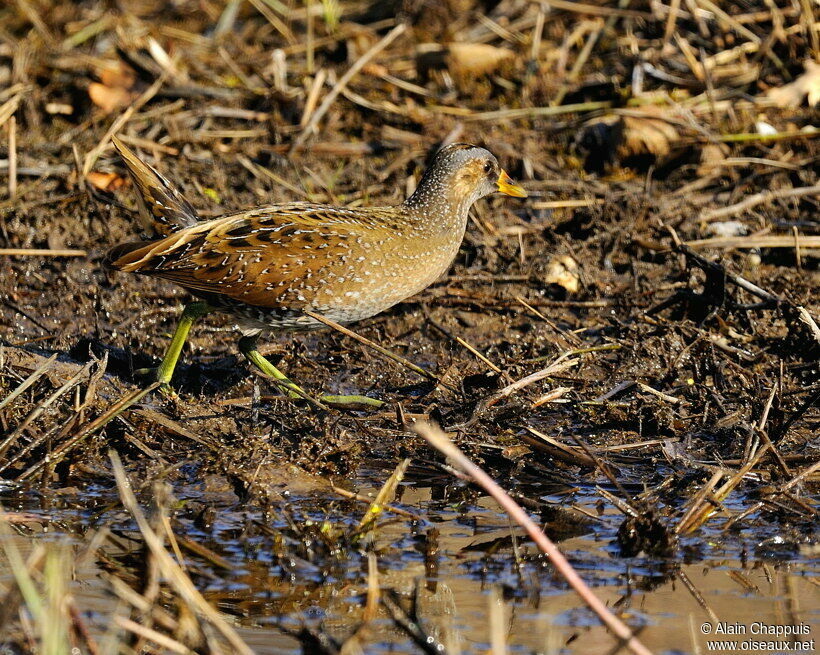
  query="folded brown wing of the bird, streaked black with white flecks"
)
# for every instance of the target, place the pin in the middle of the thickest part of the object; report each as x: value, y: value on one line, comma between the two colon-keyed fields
x: 270, y: 257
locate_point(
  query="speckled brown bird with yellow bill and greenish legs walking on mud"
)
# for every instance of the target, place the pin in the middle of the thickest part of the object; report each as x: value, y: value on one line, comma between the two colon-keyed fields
x: 269, y: 265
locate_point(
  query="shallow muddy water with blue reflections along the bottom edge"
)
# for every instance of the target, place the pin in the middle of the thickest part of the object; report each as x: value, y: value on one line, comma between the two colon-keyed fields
x: 455, y: 582
